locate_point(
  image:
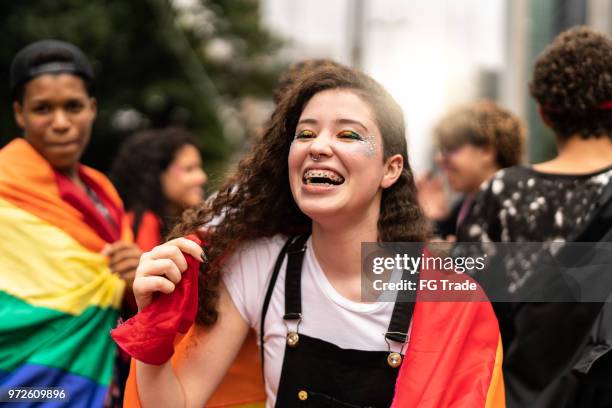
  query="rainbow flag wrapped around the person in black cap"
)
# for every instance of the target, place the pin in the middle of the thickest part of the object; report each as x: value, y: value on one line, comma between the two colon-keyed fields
x: 58, y: 297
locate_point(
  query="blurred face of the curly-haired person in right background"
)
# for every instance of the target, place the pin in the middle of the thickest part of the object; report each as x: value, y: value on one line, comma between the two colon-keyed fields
x: 467, y: 166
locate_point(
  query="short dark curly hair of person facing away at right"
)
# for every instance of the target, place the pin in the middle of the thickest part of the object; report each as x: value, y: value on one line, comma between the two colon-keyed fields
x: 571, y: 79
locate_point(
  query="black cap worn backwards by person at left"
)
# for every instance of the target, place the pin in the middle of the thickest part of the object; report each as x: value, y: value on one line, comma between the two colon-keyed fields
x: 48, y: 57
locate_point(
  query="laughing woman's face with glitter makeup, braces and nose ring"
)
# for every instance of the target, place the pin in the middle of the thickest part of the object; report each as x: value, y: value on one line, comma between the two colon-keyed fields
x: 336, y: 166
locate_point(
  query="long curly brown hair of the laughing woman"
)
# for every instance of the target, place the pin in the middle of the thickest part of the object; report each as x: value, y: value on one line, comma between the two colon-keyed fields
x: 256, y: 201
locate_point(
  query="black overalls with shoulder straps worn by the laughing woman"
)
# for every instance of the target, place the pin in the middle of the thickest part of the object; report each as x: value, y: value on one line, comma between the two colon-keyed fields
x: 316, y: 373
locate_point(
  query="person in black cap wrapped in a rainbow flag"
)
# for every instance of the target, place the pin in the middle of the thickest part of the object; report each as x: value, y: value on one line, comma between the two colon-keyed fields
x: 67, y: 250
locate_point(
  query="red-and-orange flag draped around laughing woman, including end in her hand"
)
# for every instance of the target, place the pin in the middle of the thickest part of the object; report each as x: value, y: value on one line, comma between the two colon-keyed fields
x: 453, y: 358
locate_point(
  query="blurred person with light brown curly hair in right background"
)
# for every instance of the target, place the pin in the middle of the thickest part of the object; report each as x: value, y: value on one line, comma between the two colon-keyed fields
x: 474, y: 141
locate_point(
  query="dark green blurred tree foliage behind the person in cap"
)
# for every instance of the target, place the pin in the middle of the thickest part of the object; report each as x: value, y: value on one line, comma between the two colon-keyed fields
x: 158, y: 63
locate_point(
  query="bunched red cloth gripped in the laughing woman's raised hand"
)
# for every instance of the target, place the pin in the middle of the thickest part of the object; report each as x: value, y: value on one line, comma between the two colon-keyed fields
x: 149, y: 336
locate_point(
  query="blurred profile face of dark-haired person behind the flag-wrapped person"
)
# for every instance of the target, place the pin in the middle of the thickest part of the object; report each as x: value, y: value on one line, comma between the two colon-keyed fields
x: 183, y: 179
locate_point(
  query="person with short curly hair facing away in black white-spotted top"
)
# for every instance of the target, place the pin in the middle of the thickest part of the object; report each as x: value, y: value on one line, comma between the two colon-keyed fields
x: 556, y: 200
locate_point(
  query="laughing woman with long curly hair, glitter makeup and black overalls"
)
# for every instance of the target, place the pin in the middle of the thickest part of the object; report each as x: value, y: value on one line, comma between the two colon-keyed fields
x: 283, y: 257
